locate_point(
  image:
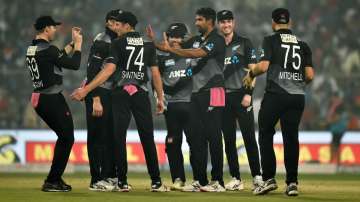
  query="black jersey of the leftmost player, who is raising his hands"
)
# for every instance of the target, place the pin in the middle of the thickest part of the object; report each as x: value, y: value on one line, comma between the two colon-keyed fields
x: 45, y: 62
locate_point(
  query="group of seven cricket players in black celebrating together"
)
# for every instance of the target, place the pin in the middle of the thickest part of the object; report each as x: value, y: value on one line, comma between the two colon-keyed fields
x: 202, y: 84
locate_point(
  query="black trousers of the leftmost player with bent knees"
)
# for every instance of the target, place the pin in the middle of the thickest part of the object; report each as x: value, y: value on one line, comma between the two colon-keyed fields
x: 53, y: 109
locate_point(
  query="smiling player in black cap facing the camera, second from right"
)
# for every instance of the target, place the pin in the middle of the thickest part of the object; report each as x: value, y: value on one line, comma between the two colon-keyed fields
x: 240, y: 56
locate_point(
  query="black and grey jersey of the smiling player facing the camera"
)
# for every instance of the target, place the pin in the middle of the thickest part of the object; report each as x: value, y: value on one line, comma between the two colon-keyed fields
x: 238, y: 55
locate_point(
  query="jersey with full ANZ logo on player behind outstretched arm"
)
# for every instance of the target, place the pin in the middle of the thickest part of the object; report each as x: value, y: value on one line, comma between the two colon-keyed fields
x: 176, y: 75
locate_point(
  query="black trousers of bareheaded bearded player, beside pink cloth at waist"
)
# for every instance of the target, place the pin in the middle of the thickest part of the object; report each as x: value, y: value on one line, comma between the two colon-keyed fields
x: 205, y: 132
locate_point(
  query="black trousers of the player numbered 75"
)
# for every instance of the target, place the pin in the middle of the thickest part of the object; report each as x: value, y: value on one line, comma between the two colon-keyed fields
x: 288, y: 108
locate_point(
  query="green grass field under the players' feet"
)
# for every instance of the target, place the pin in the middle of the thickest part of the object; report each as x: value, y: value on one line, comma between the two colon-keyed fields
x: 326, y: 188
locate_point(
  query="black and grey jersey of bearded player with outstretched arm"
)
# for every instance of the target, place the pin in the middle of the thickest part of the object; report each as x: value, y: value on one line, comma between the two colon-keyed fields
x: 208, y: 71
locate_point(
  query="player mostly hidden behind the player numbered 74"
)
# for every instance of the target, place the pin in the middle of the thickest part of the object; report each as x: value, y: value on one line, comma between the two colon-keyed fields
x: 100, y: 141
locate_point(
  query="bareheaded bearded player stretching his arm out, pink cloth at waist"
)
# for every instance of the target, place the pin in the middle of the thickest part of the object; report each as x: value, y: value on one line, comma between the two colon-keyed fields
x: 207, y: 100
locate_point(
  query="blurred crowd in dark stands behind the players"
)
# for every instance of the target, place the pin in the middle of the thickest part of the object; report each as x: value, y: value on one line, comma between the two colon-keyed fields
x: 331, y: 28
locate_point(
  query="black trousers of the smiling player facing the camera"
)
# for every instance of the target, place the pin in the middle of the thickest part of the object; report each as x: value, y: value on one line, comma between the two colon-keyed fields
x: 233, y: 112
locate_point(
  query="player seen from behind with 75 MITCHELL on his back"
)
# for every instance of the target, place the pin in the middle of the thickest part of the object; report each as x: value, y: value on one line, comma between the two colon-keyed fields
x: 288, y: 63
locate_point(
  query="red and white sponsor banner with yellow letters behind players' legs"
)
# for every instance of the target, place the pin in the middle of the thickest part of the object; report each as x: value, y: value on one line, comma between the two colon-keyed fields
x: 37, y: 146
